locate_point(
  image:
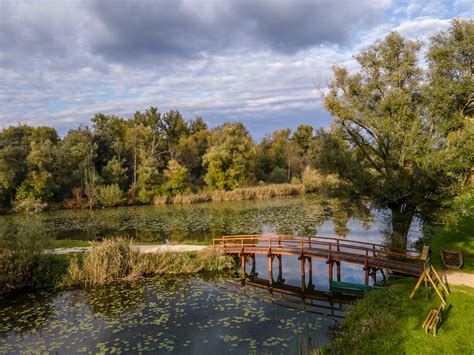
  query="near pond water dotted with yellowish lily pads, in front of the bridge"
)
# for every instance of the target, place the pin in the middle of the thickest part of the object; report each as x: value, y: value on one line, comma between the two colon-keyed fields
x: 181, y: 314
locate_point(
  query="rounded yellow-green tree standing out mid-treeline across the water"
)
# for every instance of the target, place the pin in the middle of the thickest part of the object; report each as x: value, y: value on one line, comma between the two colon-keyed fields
x: 228, y: 158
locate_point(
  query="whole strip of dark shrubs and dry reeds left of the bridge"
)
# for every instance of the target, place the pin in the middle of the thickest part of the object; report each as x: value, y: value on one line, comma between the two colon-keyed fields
x: 112, y: 260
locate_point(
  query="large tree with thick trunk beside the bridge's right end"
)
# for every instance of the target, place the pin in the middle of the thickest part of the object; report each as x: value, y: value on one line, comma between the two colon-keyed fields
x: 395, y: 142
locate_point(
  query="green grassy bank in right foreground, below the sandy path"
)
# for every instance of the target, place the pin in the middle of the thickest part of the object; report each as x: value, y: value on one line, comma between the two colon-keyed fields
x: 385, y: 321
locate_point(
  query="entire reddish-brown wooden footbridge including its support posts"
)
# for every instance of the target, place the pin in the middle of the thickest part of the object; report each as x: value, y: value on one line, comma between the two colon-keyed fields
x: 372, y: 257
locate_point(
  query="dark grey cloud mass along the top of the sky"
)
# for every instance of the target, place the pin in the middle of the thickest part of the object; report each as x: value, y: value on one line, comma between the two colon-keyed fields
x: 154, y: 30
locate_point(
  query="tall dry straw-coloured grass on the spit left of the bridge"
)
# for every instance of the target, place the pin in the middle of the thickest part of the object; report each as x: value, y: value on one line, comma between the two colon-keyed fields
x: 117, y: 260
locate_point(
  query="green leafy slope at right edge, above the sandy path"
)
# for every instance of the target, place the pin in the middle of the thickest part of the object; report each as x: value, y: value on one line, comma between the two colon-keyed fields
x: 459, y: 237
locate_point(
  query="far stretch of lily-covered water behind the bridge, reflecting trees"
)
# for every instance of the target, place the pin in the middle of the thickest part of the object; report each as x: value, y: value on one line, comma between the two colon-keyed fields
x: 301, y: 215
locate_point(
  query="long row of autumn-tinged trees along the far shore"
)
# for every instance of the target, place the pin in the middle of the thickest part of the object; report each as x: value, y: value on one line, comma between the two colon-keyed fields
x: 116, y: 161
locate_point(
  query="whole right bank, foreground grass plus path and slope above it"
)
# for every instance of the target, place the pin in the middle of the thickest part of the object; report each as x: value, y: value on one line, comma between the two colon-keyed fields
x: 388, y: 321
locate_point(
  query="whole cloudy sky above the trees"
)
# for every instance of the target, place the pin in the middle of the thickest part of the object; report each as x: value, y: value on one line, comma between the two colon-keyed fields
x: 259, y: 62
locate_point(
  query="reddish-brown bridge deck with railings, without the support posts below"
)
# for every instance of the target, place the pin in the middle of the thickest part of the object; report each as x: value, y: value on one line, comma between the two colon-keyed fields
x: 332, y: 249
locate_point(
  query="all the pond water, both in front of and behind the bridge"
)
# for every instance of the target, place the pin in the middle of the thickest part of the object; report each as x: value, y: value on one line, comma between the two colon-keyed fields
x: 195, y: 314
